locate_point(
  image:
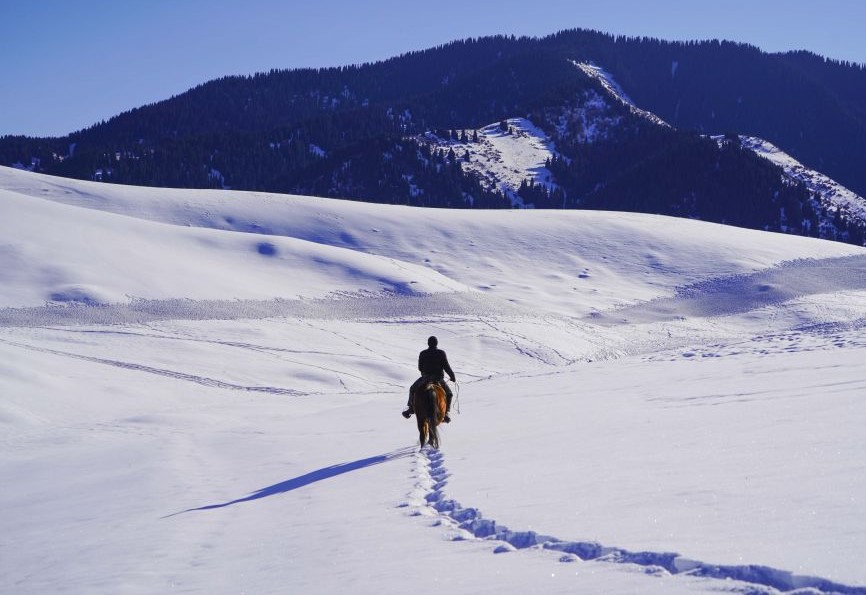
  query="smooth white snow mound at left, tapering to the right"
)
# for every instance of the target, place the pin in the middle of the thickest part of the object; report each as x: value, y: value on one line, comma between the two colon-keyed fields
x: 108, y: 258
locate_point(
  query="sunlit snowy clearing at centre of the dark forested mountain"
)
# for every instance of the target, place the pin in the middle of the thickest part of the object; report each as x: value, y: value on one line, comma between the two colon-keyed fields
x: 503, y: 159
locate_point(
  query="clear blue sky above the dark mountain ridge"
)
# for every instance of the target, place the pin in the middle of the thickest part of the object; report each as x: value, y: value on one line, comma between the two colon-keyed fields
x: 66, y: 64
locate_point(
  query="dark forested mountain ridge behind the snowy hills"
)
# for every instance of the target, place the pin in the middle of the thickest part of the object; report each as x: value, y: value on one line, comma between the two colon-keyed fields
x: 362, y: 132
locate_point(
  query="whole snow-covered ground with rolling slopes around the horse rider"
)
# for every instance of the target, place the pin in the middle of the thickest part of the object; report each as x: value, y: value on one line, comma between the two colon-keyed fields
x: 200, y: 393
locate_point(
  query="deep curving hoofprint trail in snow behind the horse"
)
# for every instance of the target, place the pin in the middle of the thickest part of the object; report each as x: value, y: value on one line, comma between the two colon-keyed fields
x: 428, y: 498
